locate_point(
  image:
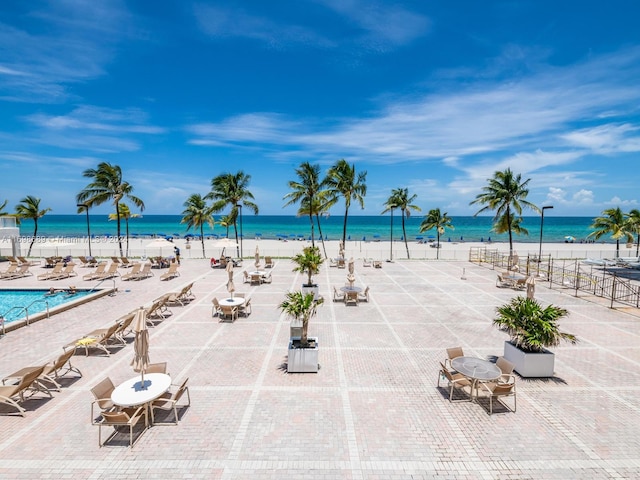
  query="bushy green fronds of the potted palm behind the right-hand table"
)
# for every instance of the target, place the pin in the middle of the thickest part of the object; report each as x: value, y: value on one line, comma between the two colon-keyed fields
x: 531, y: 327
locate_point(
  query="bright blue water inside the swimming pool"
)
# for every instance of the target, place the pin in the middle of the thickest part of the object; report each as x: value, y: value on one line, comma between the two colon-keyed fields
x: 35, y: 300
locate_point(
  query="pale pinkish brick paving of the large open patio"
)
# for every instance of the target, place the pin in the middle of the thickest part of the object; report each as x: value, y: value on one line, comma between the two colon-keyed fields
x: 372, y: 412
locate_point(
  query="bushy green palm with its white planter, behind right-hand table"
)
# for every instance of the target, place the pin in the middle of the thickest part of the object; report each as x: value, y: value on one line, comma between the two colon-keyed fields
x: 532, y: 329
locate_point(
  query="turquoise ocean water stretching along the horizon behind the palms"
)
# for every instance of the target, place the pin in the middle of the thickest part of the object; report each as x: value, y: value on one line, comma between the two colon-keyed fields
x: 279, y: 226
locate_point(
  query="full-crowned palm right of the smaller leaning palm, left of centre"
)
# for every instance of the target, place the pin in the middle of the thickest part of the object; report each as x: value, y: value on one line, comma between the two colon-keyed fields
x: 231, y: 189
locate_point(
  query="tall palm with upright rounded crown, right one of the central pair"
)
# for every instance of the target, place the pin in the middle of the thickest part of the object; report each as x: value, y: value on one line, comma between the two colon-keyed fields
x: 342, y: 181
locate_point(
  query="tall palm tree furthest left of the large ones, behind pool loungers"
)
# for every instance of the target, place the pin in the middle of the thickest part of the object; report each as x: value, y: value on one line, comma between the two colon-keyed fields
x: 107, y: 185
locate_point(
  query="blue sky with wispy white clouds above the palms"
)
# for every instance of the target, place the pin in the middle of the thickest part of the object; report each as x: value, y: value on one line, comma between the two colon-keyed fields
x: 432, y: 96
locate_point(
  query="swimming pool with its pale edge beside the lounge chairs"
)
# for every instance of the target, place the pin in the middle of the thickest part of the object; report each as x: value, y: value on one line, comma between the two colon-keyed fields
x: 20, y: 305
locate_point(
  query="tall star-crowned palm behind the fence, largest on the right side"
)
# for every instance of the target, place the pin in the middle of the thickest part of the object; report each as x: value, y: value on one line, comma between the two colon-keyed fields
x: 505, y: 192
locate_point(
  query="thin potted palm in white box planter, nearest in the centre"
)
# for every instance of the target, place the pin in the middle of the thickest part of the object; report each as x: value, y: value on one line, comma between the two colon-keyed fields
x: 303, y: 351
